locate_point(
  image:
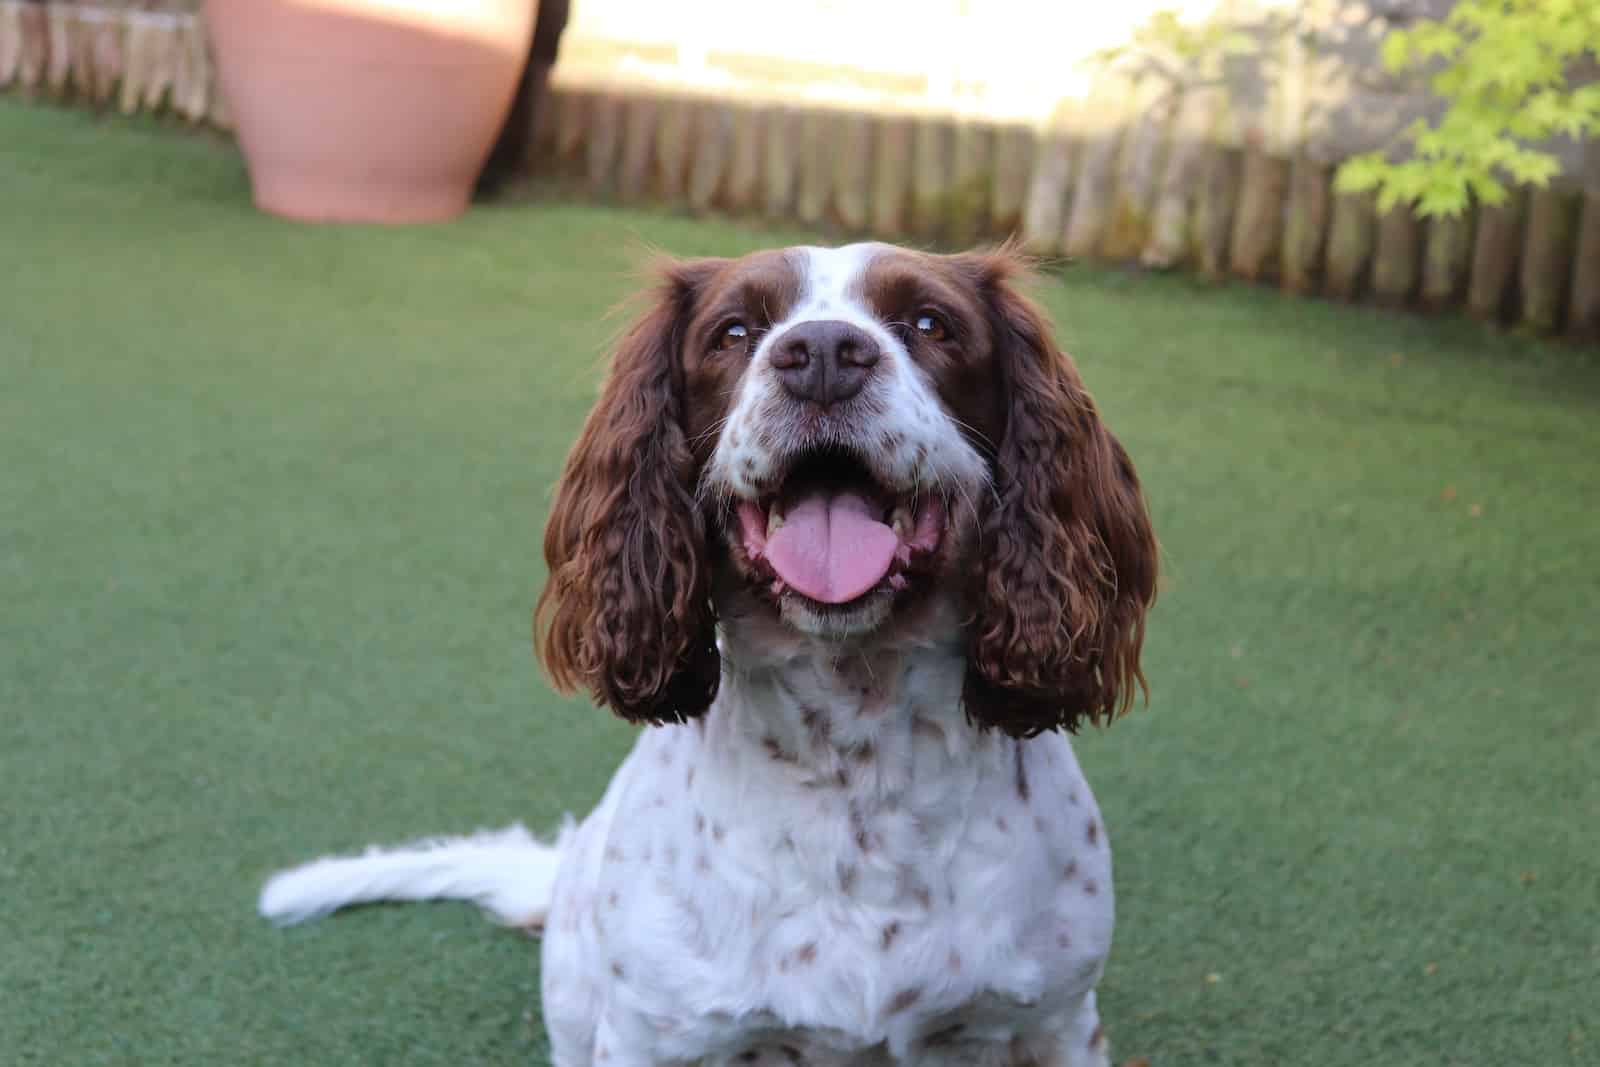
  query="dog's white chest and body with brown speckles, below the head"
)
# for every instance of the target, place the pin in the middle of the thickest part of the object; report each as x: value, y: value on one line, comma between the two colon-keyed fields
x: 833, y: 868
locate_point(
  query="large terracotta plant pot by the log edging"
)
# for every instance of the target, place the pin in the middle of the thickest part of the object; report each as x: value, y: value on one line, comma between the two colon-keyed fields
x: 369, y: 111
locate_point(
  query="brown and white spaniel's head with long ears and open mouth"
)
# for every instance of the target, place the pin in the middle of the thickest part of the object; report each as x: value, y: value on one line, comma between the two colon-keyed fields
x: 831, y: 439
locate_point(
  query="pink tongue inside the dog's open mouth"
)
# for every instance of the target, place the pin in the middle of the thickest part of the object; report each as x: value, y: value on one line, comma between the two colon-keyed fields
x: 833, y: 548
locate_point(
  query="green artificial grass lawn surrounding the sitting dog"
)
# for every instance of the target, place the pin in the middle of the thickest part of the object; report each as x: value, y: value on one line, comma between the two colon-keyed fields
x: 273, y: 500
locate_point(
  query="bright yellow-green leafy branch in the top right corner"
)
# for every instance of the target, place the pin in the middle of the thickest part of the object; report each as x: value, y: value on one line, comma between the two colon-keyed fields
x: 1505, y: 70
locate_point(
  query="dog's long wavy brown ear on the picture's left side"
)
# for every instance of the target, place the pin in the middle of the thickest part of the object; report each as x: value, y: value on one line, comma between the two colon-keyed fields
x: 626, y: 610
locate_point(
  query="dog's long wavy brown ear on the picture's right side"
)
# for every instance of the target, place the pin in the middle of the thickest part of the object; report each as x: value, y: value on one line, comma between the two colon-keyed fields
x: 1068, y: 559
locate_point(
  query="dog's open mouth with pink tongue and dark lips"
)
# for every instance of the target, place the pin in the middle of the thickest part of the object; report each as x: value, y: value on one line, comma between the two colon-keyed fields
x: 834, y: 535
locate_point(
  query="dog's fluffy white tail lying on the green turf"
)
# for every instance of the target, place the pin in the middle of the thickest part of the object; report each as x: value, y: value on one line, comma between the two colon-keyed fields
x: 506, y: 873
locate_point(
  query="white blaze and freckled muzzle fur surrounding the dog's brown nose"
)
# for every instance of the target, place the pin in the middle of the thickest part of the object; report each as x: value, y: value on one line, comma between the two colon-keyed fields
x: 898, y: 425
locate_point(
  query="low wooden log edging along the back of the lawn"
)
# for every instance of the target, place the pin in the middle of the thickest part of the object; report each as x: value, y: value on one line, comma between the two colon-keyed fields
x: 1130, y: 175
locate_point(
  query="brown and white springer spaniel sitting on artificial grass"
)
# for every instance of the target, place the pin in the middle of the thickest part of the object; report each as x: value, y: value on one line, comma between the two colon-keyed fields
x: 847, y: 532
